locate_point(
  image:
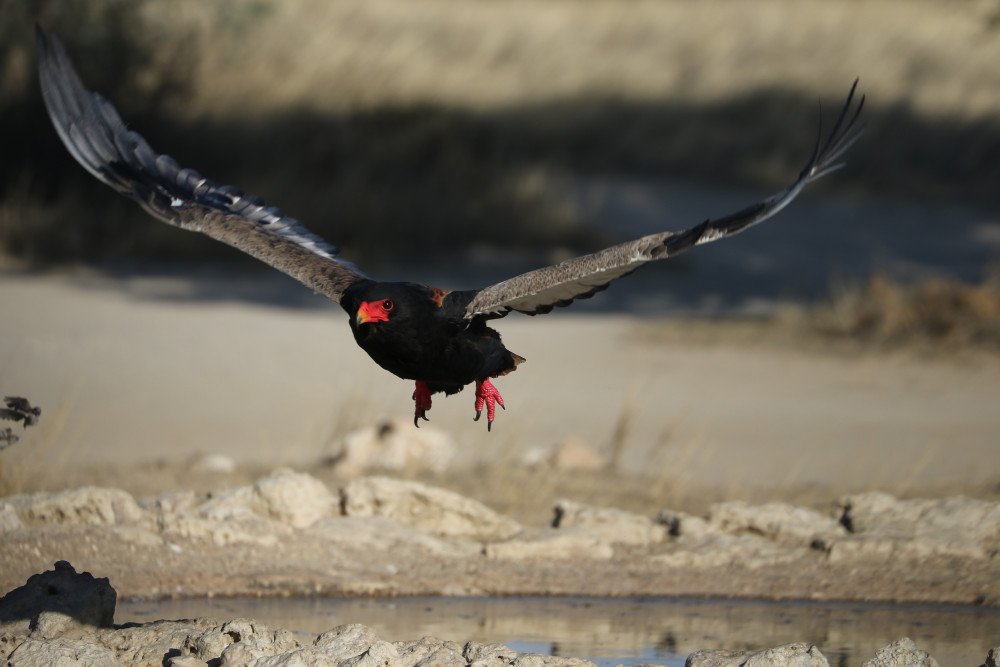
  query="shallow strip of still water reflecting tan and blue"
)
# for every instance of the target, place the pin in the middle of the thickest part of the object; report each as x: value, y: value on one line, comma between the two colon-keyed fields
x: 622, y: 631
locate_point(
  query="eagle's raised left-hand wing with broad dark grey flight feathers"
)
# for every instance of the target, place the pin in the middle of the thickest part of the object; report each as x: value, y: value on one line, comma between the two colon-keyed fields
x: 95, y: 135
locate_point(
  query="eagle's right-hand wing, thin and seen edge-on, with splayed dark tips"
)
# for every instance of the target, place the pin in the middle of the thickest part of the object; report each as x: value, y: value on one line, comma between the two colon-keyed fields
x: 541, y: 290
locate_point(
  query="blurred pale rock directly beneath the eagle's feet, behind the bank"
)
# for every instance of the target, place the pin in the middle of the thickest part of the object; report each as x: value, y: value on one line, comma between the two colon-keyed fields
x: 395, y: 445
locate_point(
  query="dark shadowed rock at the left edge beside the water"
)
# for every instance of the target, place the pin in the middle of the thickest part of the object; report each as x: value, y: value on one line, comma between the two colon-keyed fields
x: 76, y: 595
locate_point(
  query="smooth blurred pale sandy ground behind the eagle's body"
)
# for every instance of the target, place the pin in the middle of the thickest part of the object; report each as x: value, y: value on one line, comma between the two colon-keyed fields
x: 143, y: 369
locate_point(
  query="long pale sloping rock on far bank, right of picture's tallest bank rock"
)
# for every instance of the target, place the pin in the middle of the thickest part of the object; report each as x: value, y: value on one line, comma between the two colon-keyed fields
x: 432, y: 510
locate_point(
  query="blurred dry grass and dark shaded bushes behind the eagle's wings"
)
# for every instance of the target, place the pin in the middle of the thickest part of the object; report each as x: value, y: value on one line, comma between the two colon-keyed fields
x: 404, y: 127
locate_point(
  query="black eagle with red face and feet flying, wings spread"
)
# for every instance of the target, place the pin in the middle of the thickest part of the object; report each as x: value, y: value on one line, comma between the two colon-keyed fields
x: 438, y: 338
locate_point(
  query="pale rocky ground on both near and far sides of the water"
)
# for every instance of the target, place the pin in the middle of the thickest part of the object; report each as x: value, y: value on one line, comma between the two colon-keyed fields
x: 289, y: 533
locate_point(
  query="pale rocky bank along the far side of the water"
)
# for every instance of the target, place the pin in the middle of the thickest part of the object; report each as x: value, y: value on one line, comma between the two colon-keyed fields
x: 289, y: 533
